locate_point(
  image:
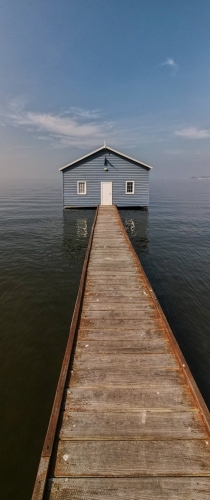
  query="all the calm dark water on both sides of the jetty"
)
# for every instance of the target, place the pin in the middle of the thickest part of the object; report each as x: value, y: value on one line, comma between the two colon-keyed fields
x: 41, y: 255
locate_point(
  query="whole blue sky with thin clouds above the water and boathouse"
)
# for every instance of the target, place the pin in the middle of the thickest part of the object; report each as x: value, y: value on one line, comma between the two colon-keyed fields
x: 76, y: 73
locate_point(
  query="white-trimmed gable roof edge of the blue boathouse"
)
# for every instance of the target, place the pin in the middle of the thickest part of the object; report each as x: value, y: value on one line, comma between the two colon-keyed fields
x: 102, y: 150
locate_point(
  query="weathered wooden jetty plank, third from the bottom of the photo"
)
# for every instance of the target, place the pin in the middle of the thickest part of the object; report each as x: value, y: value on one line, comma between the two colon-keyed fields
x: 146, y: 424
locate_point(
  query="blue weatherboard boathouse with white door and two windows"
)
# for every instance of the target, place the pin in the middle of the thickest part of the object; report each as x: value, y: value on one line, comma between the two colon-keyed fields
x: 105, y: 177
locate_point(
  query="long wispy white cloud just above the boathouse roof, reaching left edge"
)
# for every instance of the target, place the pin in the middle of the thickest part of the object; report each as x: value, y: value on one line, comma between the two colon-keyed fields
x: 78, y: 127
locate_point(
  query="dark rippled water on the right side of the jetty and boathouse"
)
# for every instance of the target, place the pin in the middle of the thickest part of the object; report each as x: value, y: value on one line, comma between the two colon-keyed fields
x: 172, y: 241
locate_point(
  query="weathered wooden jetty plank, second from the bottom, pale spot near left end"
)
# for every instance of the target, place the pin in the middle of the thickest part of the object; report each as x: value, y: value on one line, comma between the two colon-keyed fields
x: 133, y: 458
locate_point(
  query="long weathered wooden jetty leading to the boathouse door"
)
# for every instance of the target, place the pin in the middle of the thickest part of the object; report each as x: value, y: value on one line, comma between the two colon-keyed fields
x: 128, y: 420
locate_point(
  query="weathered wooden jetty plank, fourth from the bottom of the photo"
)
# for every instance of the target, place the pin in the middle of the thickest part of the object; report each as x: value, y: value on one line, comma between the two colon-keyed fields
x: 169, y: 396
